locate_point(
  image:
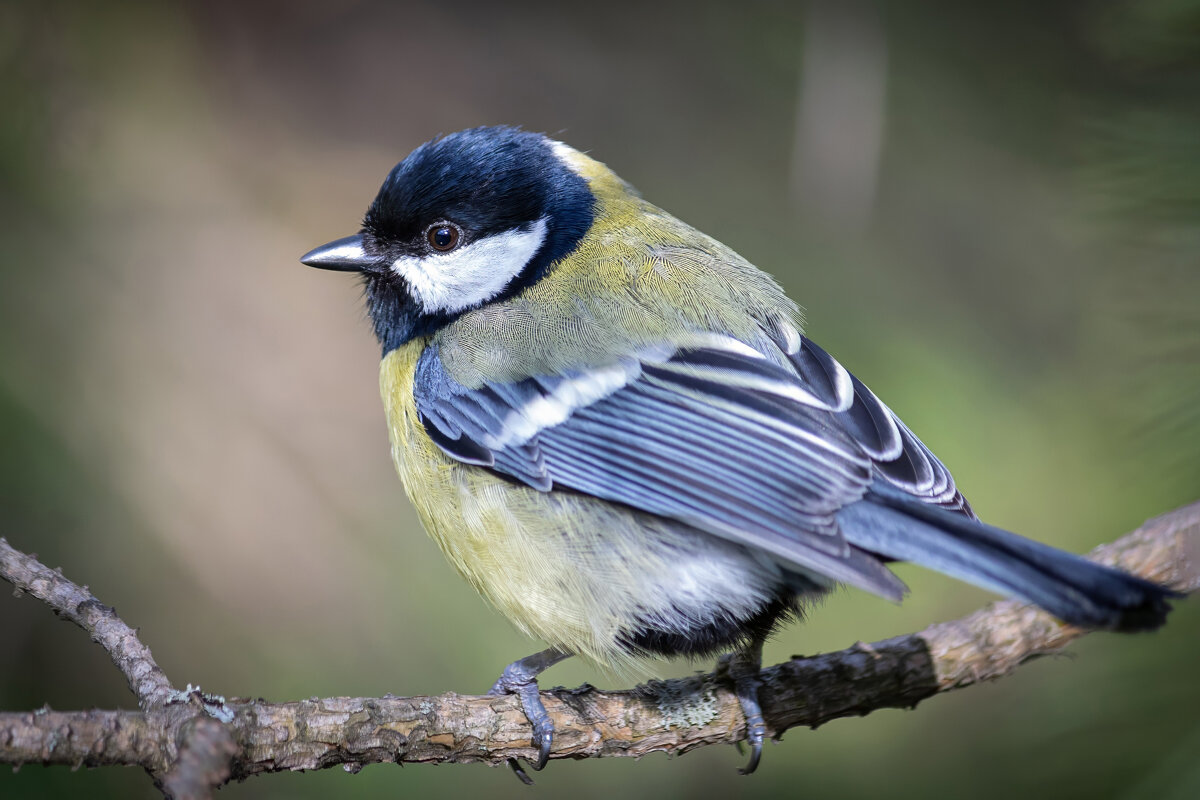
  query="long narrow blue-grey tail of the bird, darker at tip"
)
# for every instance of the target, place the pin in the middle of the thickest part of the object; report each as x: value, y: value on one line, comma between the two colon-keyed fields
x: 1070, y: 587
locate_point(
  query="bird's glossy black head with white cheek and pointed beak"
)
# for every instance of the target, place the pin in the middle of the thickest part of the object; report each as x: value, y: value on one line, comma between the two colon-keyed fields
x: 466, y: 220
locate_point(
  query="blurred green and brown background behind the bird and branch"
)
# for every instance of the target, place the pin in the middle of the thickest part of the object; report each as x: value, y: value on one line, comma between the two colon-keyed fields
x: 991, y: 212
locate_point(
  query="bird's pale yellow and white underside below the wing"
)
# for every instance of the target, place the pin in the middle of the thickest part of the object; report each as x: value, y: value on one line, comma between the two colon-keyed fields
x: 584, y: 575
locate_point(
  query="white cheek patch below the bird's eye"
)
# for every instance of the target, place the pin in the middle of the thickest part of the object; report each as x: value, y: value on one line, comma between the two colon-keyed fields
x: 473, y: 274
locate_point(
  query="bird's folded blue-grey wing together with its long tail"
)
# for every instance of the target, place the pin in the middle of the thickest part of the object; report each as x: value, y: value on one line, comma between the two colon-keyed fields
x: 802, y: 464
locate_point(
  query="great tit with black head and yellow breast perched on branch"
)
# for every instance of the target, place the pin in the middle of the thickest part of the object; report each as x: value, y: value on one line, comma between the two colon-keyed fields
x: 615, y: 429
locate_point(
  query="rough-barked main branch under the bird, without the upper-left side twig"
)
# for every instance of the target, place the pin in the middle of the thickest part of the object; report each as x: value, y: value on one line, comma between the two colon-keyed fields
x: 670, y: 717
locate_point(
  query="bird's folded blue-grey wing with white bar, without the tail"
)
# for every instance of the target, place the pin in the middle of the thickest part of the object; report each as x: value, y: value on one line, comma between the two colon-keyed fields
x: 757, y: 449
